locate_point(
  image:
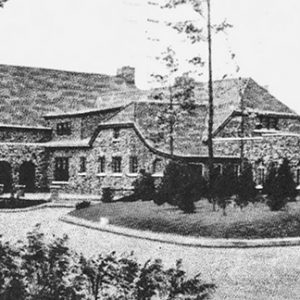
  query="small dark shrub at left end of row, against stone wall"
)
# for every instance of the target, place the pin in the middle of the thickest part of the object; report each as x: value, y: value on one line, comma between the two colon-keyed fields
x: 144, y: 187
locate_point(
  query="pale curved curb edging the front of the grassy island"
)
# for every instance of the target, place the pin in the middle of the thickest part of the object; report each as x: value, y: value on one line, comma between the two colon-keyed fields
x: 180, y: 240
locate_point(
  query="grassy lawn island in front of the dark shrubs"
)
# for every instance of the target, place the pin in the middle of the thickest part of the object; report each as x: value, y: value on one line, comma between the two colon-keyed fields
x: 254, y: 221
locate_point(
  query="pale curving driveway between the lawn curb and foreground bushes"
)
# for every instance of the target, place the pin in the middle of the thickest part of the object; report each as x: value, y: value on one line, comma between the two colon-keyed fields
x: 259, y: 273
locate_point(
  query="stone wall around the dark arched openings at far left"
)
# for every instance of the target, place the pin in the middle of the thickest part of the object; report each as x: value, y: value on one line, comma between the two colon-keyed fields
x: 16, y: 154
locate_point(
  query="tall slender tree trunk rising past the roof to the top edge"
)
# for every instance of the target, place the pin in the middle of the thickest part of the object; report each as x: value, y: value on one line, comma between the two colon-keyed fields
x: 210, y: 101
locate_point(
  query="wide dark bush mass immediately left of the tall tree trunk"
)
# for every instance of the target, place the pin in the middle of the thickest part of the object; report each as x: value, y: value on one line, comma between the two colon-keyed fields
x: 181, y: 186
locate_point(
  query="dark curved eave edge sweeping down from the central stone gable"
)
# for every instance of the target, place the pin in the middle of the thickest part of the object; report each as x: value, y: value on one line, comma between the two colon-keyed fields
x: 132, y: 125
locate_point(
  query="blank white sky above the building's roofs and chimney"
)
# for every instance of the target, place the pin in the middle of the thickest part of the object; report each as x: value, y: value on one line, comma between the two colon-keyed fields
x: 100, y: 36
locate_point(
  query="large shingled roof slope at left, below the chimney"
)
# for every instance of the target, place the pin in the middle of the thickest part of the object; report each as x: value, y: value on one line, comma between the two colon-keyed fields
x: 26, y: 94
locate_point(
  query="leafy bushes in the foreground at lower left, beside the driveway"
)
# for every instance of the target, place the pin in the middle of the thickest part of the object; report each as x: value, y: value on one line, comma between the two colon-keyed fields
x: 39, y: 270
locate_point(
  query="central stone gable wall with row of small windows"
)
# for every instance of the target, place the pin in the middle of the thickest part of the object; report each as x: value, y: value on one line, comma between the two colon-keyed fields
x: 92, y: 182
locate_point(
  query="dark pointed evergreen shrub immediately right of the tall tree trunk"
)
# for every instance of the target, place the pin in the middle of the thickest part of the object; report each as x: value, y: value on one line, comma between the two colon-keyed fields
x: 224, y: 187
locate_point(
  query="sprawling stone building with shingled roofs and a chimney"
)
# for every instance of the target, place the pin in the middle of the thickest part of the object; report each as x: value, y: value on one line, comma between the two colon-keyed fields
x: 107, y: 143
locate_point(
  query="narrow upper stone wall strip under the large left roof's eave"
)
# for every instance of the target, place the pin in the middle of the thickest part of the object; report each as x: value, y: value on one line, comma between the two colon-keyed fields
x: 24, y: 135
